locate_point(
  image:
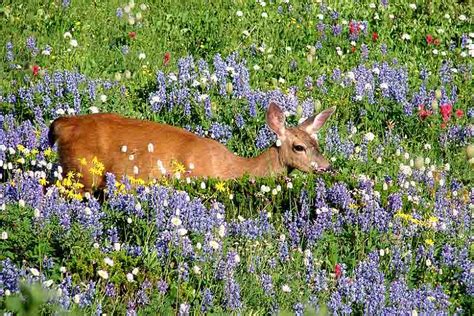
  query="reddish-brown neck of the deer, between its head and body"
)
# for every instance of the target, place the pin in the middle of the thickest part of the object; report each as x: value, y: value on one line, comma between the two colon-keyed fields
x: 267, y: 163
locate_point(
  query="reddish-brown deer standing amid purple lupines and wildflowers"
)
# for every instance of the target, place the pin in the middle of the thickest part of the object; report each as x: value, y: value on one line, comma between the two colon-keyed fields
x: 149, y: 150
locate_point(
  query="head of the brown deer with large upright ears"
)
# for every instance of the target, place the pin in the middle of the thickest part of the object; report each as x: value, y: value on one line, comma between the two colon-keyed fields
x: 298, y: 146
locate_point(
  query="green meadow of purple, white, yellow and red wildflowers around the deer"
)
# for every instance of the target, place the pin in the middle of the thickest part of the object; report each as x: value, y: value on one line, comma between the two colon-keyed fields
x: 389, y: 232
